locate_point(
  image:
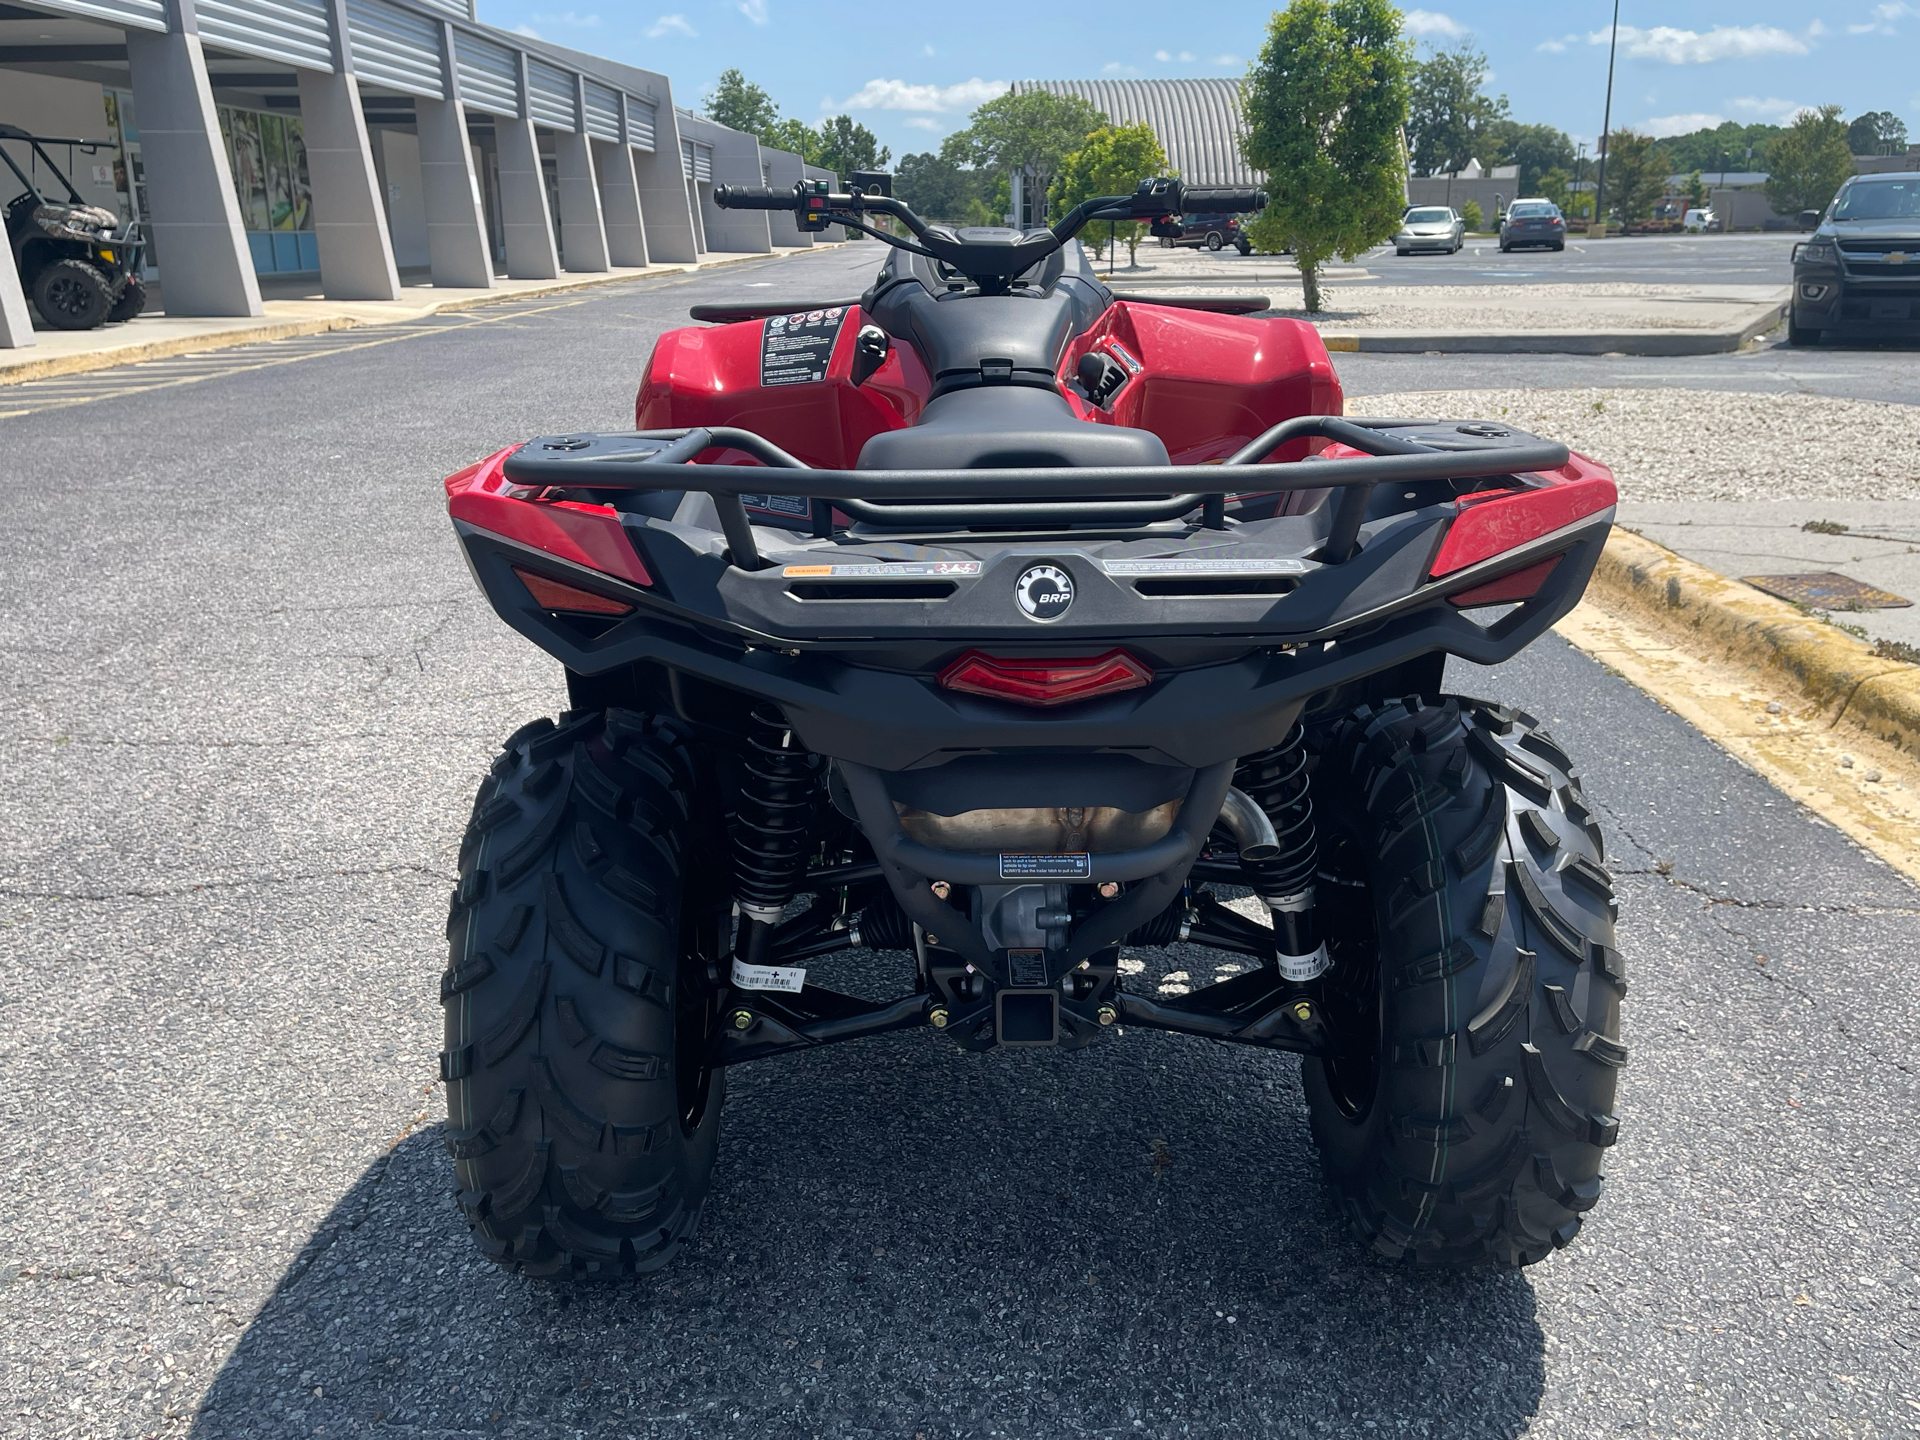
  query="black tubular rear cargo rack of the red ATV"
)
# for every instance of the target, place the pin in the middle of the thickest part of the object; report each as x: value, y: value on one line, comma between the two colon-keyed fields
x: 1036, y: 496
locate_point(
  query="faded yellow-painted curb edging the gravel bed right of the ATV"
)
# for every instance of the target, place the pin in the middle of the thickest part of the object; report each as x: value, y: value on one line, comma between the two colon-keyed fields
x: 1831, y: 667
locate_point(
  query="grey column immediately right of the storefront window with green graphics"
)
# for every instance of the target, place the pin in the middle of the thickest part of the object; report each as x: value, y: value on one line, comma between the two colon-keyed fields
x: 348, y: 218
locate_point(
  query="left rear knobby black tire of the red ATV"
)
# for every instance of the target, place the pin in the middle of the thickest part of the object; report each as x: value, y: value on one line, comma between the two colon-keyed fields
x: 583, y: 1116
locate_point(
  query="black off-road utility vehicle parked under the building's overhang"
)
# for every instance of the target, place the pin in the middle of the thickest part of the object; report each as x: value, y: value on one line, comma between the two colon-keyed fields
x: 78, y: 262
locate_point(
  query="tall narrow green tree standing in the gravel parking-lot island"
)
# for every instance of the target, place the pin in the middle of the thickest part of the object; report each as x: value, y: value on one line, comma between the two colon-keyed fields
x: 1326, y: 107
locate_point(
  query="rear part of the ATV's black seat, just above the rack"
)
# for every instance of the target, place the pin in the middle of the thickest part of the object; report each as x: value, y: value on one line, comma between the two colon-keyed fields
x: 1007, y: 427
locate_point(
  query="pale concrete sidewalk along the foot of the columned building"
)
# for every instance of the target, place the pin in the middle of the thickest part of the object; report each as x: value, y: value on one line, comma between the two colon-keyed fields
x: 299, y: 308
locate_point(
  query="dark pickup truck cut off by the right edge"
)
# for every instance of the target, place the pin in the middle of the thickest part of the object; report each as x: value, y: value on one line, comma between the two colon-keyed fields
x: 1861, y: 270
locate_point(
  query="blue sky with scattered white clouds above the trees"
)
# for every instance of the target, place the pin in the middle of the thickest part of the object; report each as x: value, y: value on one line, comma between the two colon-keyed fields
x: 913, y: 72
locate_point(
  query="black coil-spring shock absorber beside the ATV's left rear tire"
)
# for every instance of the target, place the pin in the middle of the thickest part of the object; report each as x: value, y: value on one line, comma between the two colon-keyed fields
x: 779, y: 794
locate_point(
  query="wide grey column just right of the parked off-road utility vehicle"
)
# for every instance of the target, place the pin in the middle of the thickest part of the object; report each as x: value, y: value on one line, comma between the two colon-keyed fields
x: 193, y: 214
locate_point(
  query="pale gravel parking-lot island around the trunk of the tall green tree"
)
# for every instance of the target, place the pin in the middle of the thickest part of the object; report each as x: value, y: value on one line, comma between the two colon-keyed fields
x: 1572, y: 320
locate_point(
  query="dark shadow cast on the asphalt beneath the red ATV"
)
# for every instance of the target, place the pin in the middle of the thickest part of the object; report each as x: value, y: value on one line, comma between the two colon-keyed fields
x: 909, y: 1241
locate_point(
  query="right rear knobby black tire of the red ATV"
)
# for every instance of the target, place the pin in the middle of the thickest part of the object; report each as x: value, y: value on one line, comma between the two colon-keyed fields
x: 1476, y: 955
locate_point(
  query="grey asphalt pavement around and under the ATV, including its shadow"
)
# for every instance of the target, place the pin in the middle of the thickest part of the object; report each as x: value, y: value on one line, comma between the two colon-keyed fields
x: 249, y: 698
